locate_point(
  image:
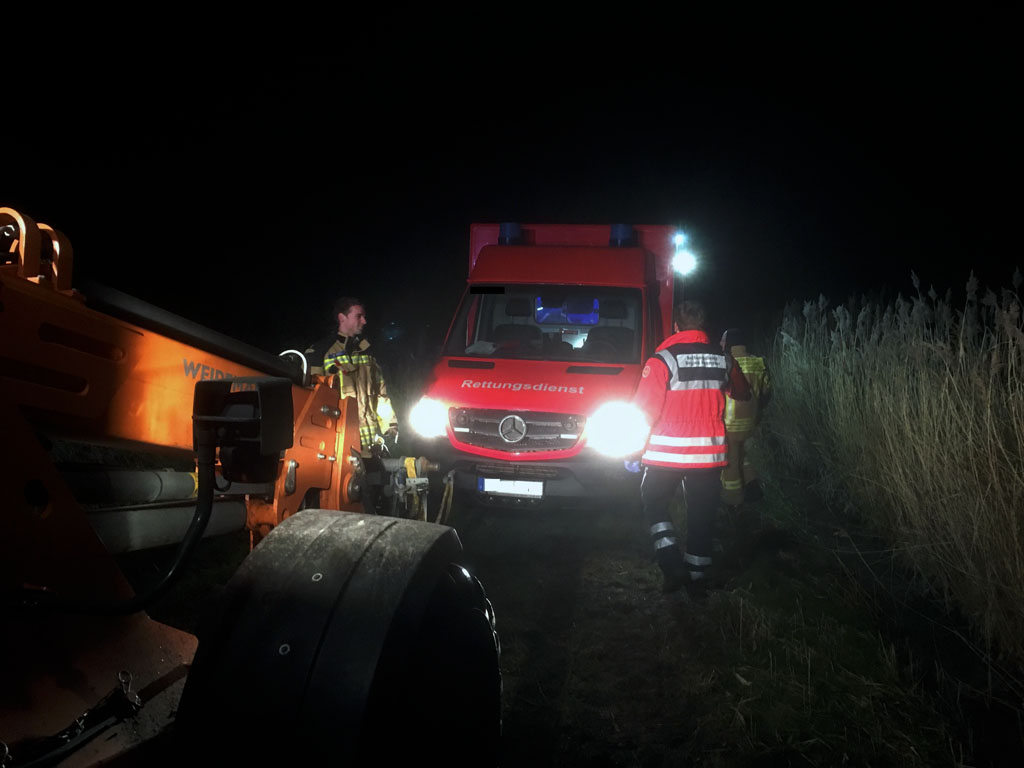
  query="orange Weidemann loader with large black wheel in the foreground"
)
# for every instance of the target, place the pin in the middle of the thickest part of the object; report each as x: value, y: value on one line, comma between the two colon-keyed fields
x: 346, y: 634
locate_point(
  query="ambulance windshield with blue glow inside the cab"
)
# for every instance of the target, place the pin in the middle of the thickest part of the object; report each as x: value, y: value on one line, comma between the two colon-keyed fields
x: 550, y: 323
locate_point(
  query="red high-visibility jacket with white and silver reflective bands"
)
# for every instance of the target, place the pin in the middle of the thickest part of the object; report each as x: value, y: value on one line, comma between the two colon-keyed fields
x: 682, y: 392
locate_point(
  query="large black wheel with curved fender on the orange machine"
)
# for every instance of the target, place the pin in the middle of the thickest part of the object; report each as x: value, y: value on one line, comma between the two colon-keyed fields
x: 349, y: 639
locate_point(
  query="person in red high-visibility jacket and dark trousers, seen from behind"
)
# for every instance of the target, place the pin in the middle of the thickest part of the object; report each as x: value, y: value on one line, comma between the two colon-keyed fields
x: 682, y: 392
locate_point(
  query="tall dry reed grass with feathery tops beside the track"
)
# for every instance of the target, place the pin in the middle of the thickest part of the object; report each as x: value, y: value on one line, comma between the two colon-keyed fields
x: 912, y: 412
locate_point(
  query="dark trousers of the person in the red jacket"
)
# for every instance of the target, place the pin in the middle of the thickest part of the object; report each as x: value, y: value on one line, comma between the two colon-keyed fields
x: 702, y: 489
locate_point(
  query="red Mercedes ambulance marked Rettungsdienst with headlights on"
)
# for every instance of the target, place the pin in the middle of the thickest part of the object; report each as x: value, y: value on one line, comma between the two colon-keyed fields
x: 529, y: 405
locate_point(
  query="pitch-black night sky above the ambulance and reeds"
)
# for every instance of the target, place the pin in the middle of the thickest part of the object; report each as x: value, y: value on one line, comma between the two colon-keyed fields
x: 246, y: 190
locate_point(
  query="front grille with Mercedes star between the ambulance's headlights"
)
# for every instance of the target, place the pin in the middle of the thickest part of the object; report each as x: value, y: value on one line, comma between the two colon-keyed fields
x: 542, y: 432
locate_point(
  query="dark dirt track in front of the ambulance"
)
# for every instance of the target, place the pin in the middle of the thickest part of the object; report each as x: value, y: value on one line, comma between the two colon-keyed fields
x: 585, y: 636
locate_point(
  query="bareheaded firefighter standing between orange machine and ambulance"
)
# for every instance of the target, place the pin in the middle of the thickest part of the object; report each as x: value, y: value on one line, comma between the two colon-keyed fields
x: 346, y: 353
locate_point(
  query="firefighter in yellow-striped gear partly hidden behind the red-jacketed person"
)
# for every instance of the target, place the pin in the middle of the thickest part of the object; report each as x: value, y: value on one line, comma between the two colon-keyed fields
x: 740, y: 482
